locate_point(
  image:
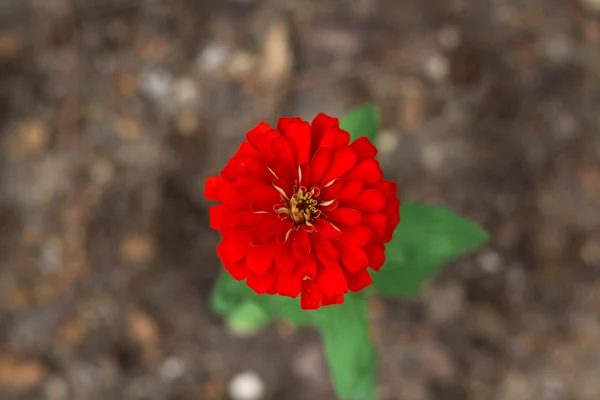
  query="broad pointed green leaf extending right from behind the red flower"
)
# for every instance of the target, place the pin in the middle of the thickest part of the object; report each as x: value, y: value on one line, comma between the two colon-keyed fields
x: 426, y: 238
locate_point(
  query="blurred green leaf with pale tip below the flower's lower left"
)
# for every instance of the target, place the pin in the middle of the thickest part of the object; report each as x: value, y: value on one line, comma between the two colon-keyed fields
x: 230, y: 297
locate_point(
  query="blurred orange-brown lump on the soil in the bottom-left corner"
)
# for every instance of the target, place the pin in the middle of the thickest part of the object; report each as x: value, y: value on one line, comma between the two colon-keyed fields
x: 21, y: 375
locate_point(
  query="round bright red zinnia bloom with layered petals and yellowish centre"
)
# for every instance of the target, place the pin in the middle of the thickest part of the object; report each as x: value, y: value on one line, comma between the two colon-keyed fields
x: 303, y: 211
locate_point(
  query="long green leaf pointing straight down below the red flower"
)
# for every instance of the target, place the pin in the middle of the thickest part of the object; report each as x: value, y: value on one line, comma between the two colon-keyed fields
x: 350, y: 353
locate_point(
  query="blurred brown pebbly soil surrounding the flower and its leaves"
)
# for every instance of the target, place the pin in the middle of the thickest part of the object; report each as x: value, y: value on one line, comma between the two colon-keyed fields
x: 113, y: 112
